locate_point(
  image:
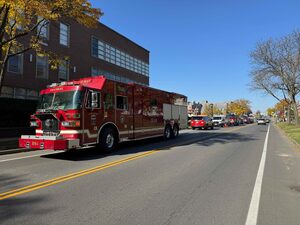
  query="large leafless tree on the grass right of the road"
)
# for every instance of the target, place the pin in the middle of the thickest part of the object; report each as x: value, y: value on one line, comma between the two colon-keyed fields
x: 276, y: 69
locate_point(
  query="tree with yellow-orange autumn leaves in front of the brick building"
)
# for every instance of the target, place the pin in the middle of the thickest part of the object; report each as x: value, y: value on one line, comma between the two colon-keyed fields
x: 25, y: 19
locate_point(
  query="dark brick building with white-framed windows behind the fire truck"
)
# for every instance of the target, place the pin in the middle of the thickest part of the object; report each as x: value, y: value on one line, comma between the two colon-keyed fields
x: 89, y: 51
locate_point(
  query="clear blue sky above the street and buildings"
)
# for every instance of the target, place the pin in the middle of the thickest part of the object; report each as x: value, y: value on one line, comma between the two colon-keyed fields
x: 201, y: 48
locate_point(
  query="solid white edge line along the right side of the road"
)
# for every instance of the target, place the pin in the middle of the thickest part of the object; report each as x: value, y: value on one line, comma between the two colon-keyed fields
x: 254, y: 204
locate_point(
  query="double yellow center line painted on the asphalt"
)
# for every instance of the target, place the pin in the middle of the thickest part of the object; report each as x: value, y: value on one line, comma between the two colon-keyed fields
x: 61, y: 179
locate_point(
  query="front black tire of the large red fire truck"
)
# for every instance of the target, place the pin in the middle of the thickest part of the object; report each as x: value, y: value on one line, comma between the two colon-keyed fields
x: 107, y: 140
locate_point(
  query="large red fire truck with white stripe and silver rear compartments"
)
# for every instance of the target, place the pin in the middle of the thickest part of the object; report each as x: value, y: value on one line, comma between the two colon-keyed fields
x: 102, y: 112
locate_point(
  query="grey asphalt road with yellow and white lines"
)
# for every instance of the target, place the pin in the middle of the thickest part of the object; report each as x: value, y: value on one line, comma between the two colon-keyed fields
x: 217, y: 177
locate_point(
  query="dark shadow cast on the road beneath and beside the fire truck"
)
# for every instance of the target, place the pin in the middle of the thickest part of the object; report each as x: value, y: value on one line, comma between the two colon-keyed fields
x: 202, y: 138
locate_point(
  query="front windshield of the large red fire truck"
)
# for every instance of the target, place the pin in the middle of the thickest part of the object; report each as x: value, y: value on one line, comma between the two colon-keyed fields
x: 60, y: 100
